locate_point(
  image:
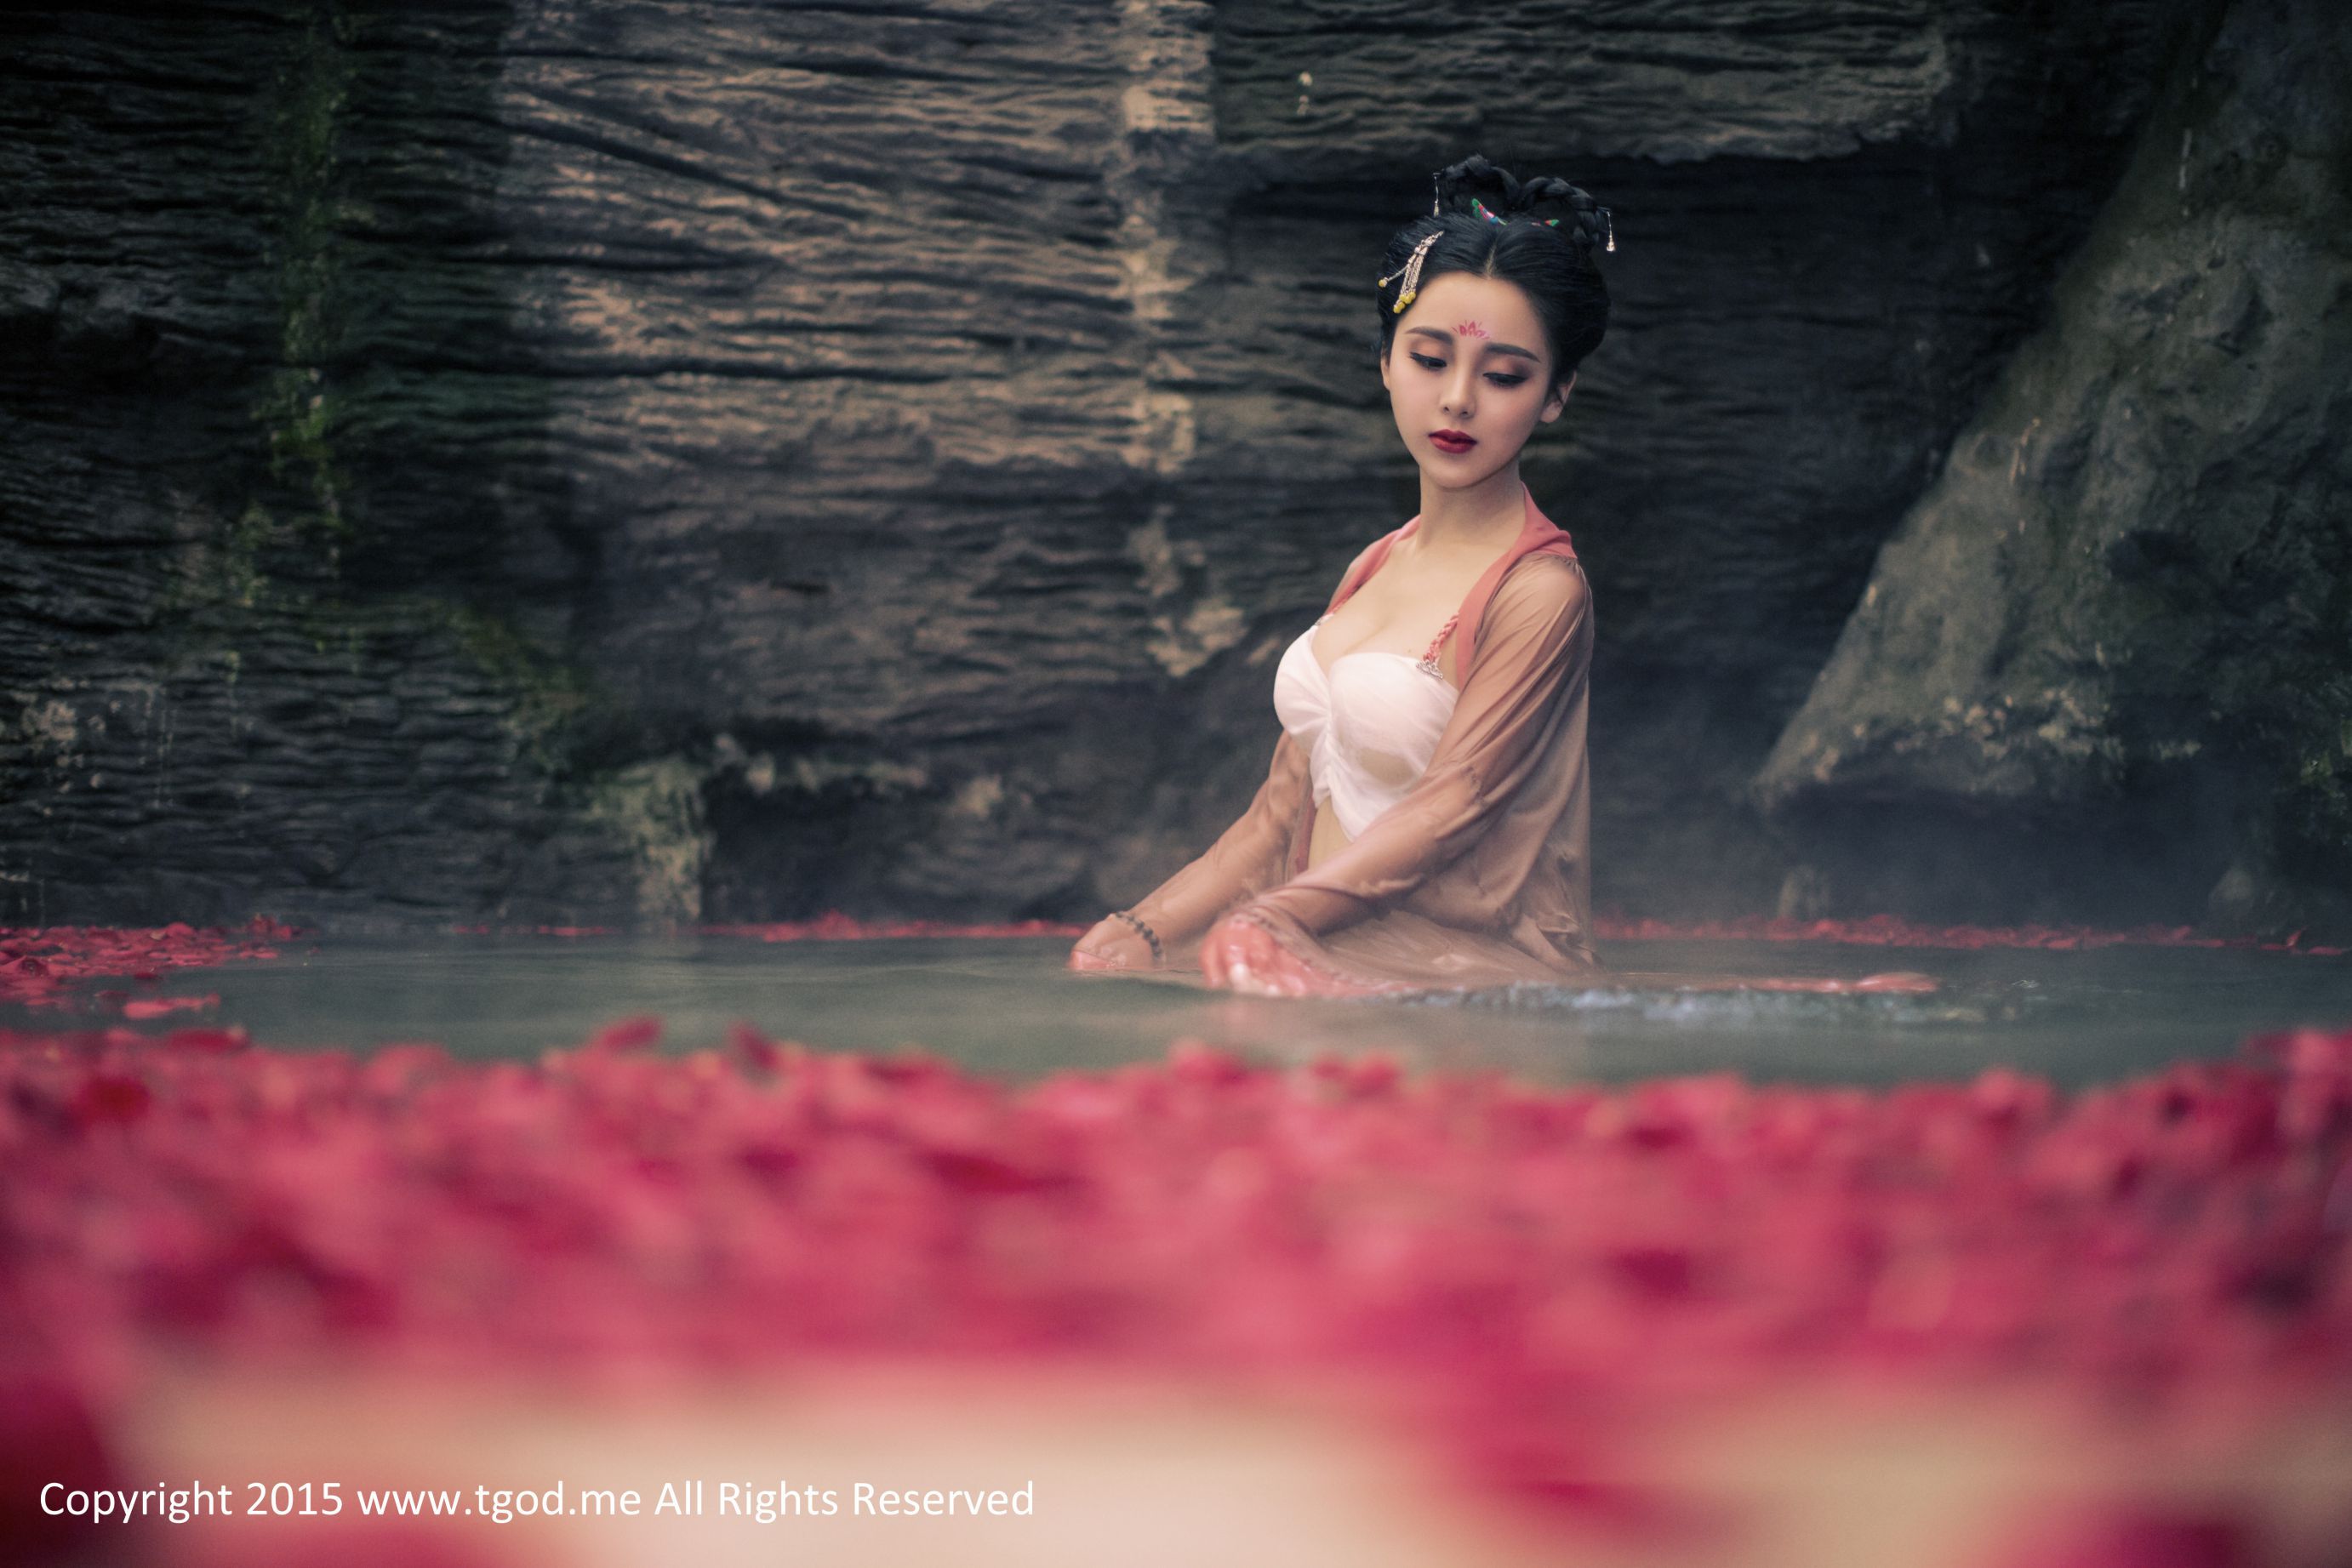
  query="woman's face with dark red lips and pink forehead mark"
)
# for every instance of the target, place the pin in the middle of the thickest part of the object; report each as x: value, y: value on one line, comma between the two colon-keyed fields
x: 1471, y: 377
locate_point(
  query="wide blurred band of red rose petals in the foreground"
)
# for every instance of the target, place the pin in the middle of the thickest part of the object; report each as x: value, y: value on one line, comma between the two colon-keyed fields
x: 1532, y: 1264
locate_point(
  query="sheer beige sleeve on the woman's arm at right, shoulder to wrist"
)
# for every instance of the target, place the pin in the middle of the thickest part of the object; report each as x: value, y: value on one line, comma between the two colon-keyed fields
x: 1535, y: 648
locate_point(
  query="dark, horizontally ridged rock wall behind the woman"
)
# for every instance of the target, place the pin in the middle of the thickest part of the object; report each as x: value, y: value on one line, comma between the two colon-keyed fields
x: 693, y: 462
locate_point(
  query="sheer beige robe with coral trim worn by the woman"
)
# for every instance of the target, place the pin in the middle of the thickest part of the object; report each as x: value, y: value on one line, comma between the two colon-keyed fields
x: 1481, y: 876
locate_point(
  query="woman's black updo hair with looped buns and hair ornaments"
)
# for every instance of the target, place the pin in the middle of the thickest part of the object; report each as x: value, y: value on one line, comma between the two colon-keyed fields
x: 1544, y: 243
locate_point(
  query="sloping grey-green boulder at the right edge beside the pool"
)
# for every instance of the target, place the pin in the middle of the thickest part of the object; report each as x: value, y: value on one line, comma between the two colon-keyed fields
x: 2106, y: 657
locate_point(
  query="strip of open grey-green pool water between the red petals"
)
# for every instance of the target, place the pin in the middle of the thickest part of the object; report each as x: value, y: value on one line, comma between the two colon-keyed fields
x: 1008, y: 1007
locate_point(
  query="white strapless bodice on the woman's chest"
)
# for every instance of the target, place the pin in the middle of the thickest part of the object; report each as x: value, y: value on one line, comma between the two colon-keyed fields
x: 1368, y: 728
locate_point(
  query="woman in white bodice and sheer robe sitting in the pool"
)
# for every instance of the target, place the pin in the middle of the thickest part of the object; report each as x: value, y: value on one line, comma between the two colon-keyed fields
x: 1426, y: 815
